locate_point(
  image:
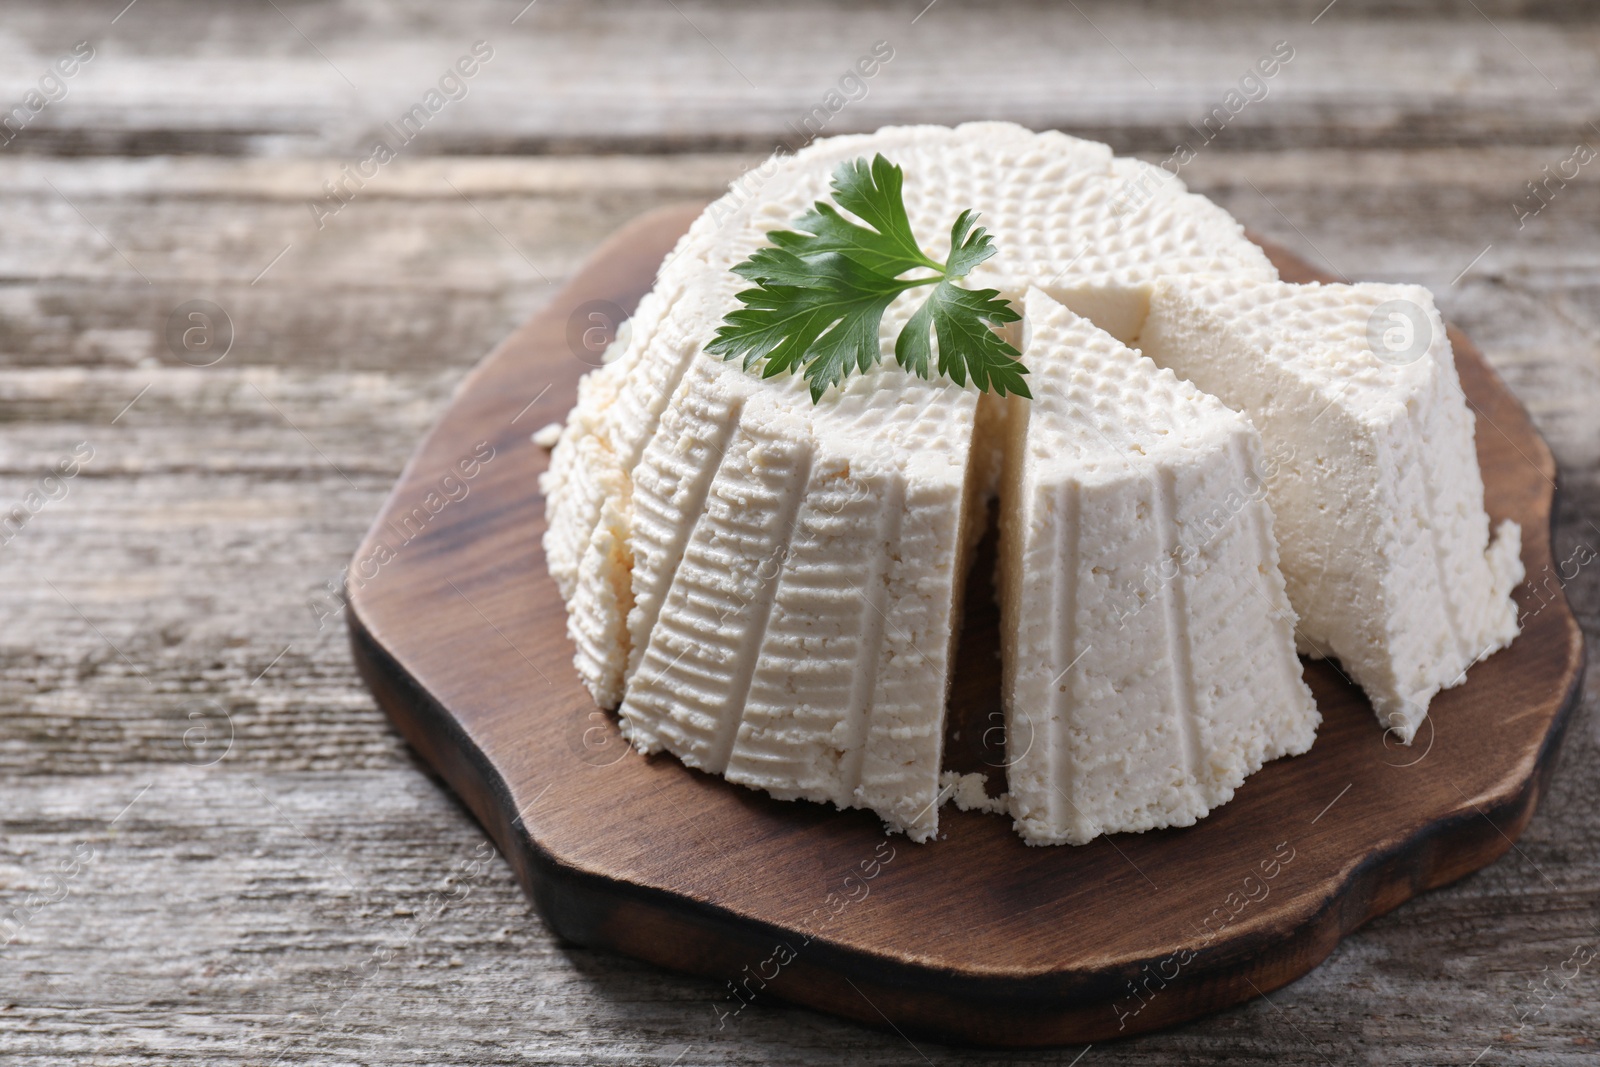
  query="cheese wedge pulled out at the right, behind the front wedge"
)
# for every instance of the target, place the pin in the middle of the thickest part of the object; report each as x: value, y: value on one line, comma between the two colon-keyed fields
x: 1375, y: 478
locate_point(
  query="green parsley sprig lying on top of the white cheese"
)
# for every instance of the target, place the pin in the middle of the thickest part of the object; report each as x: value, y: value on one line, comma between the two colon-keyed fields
x: 822, y: 292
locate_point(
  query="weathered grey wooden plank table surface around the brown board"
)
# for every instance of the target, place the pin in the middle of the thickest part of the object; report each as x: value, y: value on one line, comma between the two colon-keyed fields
x: 212, y: 845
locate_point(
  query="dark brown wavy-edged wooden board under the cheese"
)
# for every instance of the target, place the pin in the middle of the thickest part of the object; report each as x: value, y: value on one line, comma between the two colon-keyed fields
x: 460, y: 633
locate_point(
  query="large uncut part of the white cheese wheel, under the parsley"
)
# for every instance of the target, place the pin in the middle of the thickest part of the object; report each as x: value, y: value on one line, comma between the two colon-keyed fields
x: 769, y: 588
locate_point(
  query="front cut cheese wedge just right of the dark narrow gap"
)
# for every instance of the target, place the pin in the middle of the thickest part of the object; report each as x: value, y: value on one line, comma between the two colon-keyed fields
x: 1146, y: 637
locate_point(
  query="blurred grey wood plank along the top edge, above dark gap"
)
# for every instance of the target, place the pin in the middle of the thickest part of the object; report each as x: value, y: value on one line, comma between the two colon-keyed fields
x: 577, y: 78
